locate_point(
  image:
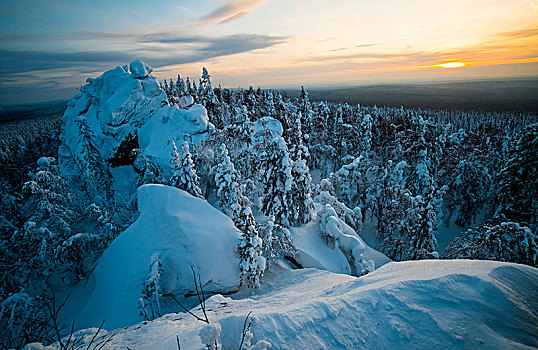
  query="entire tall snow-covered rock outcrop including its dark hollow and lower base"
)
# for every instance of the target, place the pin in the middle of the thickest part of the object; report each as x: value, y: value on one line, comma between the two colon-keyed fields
x: 121, y: 106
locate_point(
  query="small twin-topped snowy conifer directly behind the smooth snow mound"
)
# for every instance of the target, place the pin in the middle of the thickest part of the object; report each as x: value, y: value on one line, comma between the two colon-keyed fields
x: 183, y: 173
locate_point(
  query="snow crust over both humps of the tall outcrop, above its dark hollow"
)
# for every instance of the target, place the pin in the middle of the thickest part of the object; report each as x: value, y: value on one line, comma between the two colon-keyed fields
x: 123, y: 101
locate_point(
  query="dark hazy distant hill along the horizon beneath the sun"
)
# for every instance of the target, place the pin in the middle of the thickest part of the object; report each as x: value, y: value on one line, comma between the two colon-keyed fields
x: 517, y: 95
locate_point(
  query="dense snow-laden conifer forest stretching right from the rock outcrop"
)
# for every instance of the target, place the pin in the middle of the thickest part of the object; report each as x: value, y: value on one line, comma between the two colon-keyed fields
x: 408, y: 170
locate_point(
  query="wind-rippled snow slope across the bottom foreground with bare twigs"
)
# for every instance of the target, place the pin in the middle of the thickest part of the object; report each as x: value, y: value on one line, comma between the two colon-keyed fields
x: 447, y: 304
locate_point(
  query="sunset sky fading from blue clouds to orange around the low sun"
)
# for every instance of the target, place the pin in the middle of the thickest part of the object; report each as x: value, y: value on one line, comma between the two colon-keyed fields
x: 49, y: 47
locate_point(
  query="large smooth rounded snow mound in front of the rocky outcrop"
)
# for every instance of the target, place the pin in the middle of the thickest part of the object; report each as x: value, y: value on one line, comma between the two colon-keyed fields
x: 169, y: 228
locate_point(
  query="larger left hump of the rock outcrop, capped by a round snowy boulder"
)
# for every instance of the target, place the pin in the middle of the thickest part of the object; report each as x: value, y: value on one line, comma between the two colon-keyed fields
x: 113, y: 105
